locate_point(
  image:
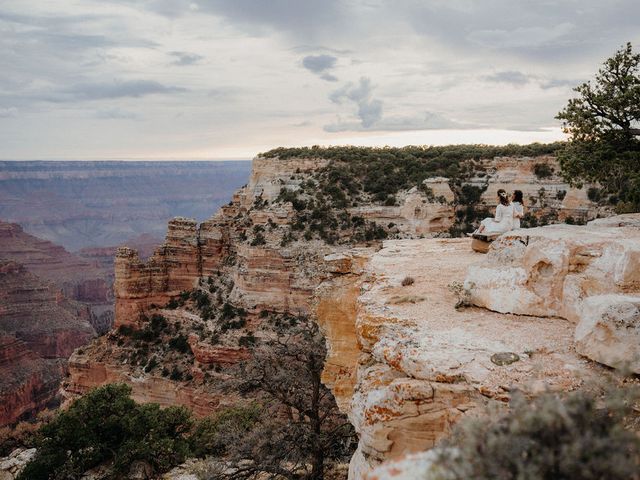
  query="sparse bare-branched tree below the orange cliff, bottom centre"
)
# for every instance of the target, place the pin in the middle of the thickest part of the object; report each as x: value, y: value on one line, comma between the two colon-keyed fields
x: 299, y: 428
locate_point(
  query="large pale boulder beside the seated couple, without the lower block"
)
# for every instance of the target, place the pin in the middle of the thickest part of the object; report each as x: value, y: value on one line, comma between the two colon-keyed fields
x: 549, y: 271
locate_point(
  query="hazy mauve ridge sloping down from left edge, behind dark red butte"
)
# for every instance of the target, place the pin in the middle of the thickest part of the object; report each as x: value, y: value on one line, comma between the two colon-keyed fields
x: 78, y: 279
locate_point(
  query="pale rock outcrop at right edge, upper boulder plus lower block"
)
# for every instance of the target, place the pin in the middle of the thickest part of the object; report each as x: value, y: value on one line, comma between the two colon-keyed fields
x: 589, y: 275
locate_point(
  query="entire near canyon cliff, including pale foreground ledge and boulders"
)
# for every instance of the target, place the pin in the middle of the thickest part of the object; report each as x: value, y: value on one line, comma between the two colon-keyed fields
x: 417, y: 331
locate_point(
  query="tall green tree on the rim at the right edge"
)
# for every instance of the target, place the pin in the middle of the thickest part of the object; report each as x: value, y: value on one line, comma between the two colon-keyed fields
x: 604, y: 127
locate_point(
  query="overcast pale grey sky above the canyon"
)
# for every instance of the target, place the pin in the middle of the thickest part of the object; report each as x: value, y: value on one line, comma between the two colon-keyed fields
x: 226, y: 79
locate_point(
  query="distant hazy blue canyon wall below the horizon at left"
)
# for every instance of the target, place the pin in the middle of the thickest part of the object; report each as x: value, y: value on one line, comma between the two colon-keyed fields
x: 80, y: 204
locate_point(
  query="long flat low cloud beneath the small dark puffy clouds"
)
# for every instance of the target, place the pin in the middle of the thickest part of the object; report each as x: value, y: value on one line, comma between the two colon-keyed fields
x: 427, y: 121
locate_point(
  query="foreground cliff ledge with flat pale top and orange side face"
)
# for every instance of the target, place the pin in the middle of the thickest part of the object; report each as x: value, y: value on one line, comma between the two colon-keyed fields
x: 405, y: 365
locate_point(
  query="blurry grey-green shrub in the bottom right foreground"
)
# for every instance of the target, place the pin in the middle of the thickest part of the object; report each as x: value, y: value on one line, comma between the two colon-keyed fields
x: 551, y: 437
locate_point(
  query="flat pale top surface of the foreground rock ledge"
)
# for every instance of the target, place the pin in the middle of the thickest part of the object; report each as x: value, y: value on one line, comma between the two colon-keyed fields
x: 430, y: 339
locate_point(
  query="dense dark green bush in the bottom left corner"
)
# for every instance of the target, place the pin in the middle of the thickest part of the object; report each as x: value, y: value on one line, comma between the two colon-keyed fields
x: 107, y: 426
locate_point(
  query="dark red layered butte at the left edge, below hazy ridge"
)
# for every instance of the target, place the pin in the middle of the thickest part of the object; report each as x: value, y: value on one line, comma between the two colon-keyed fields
x: 39, y: 329
